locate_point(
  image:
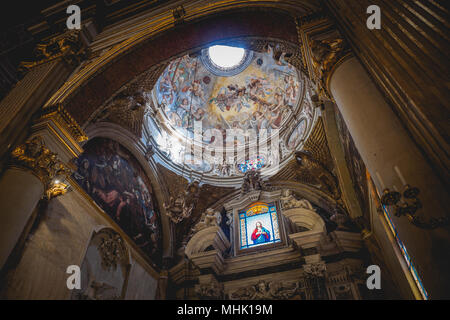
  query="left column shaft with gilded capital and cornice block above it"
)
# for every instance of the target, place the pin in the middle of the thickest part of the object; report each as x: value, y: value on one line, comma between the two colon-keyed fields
x: 37, y: 169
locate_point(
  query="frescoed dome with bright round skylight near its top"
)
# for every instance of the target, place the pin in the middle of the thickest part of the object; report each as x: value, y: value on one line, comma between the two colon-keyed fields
x: 239, y: 109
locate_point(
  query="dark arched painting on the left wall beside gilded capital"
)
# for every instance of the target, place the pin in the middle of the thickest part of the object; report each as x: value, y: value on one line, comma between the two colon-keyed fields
x: 117, y: 183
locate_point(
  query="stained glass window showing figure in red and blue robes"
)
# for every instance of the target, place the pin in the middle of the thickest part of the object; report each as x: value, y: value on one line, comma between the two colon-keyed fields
x: 259, y: 225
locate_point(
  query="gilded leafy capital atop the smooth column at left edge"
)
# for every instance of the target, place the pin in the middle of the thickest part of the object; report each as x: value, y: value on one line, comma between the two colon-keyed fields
x: 35, y: 157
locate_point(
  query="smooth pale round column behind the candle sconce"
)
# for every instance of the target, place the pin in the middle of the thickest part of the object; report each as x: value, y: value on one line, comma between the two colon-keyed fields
x: 393, y: 159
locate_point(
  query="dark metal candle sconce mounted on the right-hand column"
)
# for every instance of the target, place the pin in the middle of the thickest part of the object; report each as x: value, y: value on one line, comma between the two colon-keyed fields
x: 407, y: 204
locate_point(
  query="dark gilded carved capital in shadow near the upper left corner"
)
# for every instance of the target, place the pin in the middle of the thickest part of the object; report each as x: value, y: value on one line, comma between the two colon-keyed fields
x: 67, y: 46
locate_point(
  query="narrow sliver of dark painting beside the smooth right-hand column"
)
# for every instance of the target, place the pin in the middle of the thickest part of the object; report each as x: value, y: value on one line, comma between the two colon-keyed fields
x: 355, y: 165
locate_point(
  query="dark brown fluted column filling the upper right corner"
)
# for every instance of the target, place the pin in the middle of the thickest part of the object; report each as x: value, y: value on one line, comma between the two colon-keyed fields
x: 408, y: 59
